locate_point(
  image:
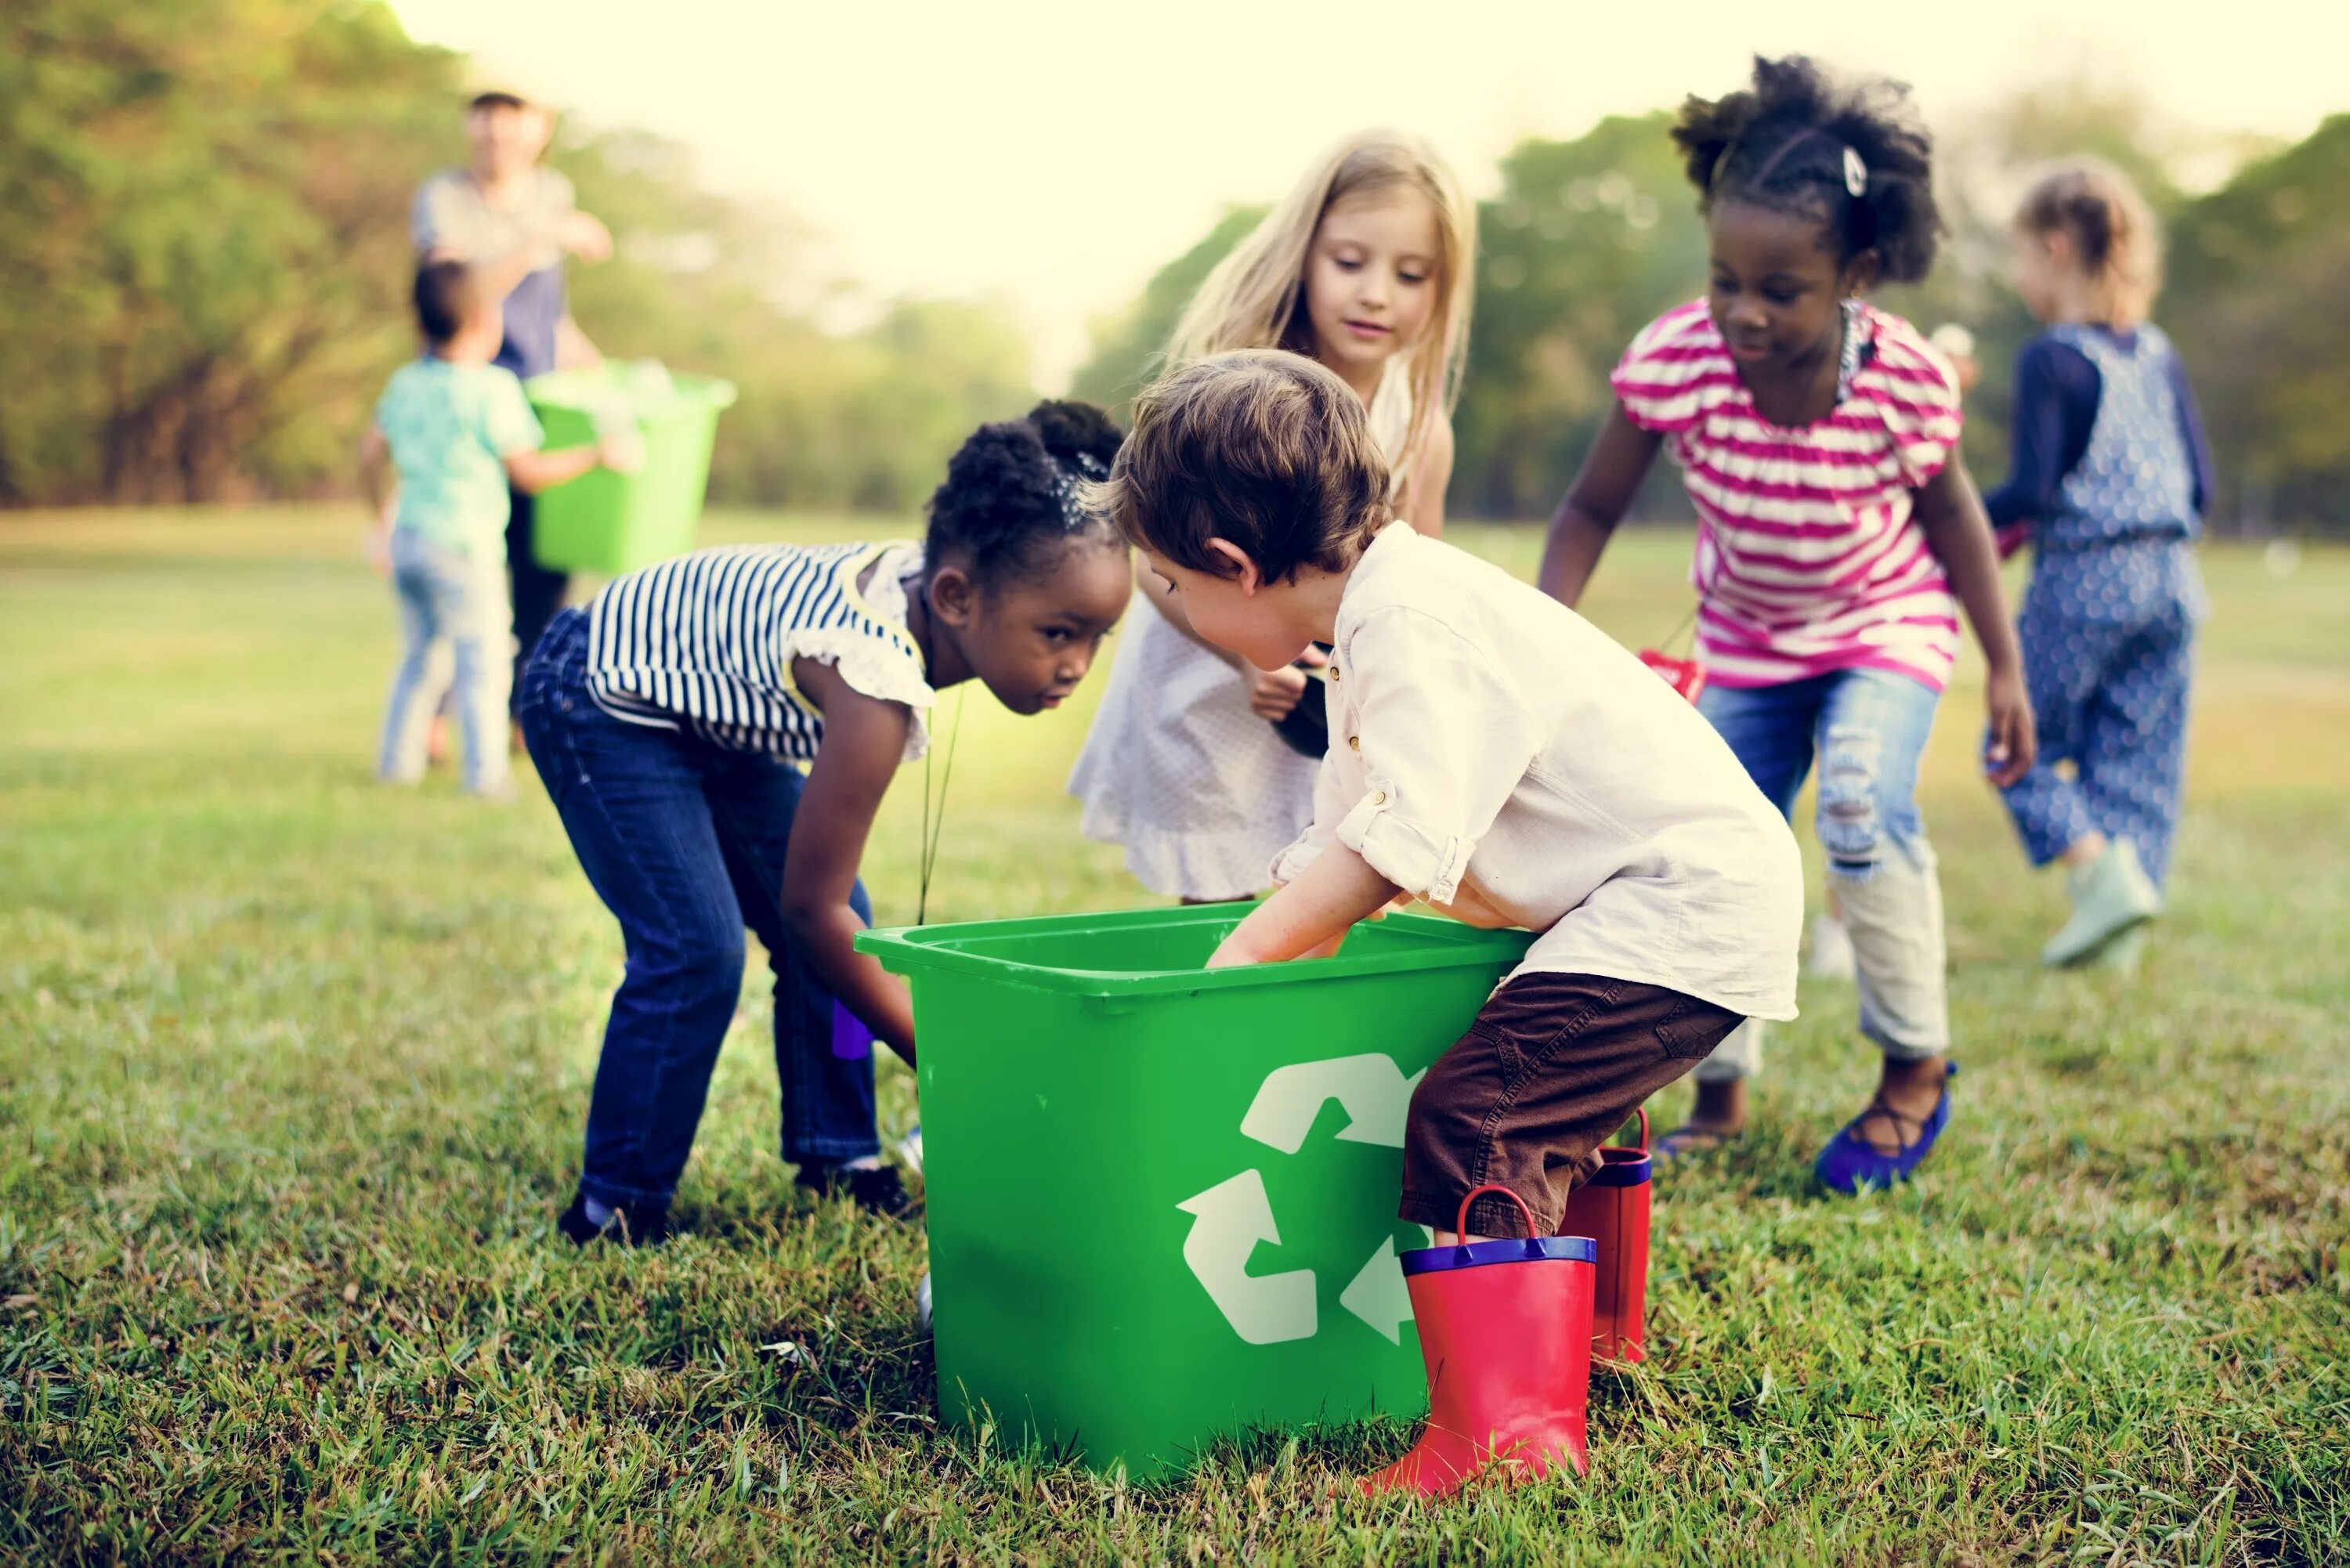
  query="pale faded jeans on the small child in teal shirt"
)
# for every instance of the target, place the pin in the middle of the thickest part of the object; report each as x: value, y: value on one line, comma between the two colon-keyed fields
x: 457, y: 601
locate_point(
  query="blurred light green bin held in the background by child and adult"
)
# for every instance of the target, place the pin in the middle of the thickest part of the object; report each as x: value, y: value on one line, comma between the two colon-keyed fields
x: 607, y: 521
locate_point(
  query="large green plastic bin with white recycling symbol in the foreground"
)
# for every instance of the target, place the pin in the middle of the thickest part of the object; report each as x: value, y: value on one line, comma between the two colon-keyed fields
x: 1162, y: 1200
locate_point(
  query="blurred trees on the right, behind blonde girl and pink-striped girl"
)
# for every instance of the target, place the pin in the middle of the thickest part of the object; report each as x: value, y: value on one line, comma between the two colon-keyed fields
x: 1592, y: 239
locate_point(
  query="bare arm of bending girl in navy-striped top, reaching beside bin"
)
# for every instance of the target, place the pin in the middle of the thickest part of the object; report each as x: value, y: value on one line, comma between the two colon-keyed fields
x: 864, y: 746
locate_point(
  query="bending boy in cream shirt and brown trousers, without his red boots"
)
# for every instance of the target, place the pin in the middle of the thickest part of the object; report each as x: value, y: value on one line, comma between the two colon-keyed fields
x: 1491, y: 753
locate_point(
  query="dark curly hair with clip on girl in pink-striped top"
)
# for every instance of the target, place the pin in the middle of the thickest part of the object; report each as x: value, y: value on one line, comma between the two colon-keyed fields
x: 1782, y: 145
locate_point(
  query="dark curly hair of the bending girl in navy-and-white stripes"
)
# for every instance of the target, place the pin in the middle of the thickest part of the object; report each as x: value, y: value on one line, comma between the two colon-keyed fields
x: 1009, y: 504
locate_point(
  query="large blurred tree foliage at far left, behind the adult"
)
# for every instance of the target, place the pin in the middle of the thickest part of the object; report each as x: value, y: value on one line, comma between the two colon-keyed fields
x: 192, y: 196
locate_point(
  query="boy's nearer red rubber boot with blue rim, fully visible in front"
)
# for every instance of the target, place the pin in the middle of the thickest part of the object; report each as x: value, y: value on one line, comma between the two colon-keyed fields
x: 1505, y: 1329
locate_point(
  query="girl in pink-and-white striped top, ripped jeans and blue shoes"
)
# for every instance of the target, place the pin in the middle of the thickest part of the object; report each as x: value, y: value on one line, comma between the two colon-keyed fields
x: 1818, y: 438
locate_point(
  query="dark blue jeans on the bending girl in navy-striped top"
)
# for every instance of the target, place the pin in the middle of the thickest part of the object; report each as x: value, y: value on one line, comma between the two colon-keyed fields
x: 685, y: 845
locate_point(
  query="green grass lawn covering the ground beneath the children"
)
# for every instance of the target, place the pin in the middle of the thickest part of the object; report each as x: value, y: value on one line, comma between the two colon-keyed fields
x: 293, y: 1076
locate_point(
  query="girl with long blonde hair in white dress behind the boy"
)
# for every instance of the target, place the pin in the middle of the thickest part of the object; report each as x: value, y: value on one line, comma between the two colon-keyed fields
x: 1364, y: 267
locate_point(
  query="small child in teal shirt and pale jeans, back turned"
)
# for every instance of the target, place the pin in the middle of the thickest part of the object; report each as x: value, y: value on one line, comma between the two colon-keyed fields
x: 459, y: 434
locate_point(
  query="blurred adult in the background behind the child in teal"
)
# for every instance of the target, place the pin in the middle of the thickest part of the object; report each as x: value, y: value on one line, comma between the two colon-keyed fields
x: 513, y: 222
